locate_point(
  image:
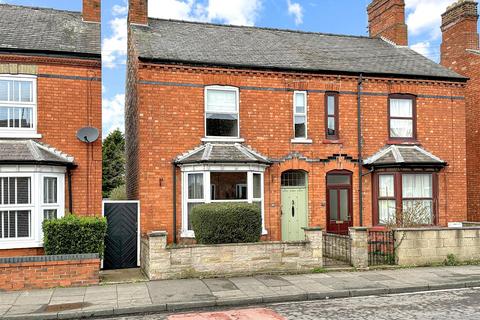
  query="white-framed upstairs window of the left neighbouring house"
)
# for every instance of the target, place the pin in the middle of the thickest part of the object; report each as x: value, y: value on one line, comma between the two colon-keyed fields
x: 17, y: 104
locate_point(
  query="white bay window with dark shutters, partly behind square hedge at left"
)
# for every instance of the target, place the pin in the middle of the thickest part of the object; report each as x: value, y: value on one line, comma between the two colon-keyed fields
x: 28, y: 195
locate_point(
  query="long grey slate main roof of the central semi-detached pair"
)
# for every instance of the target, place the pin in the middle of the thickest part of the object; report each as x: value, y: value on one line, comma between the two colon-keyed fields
x: 264, y: 48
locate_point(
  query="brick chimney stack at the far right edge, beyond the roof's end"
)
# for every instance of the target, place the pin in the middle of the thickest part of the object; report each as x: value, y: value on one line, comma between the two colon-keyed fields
x: 459, y: 33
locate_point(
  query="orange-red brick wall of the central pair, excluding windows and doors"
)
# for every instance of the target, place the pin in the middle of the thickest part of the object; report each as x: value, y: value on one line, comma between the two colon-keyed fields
x: 170, y: 121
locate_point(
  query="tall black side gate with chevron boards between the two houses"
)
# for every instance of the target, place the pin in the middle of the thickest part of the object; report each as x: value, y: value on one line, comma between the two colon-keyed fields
x: 121, y: 243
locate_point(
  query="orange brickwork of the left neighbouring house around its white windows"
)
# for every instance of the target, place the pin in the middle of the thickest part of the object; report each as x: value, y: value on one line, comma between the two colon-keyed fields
x: 68, y: 98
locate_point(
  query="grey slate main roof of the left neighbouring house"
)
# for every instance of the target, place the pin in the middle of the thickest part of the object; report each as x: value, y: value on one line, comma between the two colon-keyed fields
x: 47, y: 30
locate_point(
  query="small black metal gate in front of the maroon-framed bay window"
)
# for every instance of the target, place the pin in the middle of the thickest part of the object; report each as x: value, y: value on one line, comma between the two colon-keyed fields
x: 381, y: 247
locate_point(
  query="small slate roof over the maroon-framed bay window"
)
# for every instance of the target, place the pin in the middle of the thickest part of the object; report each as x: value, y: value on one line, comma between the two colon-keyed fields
x: 404, y: 156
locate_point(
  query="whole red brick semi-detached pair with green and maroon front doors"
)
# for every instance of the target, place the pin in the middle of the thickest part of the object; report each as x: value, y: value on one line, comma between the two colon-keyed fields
x: 317, y: 129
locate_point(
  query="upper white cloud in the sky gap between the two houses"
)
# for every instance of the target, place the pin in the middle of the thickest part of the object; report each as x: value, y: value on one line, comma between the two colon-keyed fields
x: 114, y: 48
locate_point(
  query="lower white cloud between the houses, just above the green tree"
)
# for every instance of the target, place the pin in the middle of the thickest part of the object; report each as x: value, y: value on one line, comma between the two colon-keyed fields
x: 112, y: 113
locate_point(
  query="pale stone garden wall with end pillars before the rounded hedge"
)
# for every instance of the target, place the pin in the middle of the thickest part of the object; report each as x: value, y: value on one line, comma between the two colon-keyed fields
x: 160, y: 261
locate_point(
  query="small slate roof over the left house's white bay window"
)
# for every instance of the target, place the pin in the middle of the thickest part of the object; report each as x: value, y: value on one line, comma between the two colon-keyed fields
x: 30, y: 151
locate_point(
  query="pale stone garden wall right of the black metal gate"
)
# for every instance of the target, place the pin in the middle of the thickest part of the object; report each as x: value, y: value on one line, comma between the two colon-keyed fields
x: 420, y: 246
